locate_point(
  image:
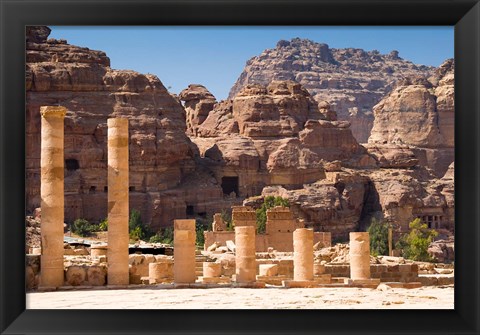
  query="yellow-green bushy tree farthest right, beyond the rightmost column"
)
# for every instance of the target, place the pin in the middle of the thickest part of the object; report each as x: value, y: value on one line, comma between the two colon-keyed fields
x: 414, y: 245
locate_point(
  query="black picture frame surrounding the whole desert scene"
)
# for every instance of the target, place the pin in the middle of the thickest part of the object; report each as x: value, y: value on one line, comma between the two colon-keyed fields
x: 15, y: 15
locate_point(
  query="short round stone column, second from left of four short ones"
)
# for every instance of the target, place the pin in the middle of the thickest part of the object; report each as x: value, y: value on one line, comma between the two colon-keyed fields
x: 245, y: 266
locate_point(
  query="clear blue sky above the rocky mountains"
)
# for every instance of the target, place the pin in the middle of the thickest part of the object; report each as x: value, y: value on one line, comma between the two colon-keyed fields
x: 215, y: 56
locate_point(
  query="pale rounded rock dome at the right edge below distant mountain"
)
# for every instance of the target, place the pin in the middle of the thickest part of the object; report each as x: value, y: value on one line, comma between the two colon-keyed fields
x: 418, y: 115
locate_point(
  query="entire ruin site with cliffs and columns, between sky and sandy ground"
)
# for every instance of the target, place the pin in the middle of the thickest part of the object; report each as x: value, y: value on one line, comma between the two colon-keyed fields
x: 277, y: 187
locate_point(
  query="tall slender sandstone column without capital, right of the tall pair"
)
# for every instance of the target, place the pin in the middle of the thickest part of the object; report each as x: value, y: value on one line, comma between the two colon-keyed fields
x: 118, y: 207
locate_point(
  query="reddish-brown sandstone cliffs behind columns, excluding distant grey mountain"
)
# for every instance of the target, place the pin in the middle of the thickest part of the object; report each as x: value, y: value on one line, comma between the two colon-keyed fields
x: 195, y: 159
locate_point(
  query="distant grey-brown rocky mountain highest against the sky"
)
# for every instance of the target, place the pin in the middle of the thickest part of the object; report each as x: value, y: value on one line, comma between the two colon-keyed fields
x: 351, y: 80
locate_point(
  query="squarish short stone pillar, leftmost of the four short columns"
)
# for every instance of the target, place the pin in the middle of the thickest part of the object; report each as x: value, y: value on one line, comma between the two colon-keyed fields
x: 184, y: 252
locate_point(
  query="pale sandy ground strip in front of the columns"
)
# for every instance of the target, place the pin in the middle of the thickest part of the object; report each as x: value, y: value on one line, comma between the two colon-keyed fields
x: 428, y: 297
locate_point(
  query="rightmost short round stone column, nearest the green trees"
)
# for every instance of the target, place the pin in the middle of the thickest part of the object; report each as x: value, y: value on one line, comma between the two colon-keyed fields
x: 359, y: 256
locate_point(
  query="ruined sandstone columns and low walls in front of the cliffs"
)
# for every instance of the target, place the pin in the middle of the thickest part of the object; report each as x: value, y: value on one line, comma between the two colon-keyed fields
x: 112, y: 265
